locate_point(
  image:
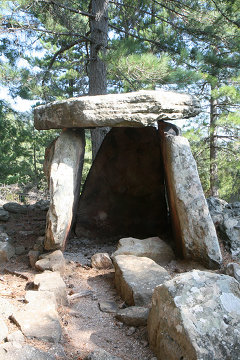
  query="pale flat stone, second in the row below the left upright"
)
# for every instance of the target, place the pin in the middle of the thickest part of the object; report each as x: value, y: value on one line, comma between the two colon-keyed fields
x: 52, y: 281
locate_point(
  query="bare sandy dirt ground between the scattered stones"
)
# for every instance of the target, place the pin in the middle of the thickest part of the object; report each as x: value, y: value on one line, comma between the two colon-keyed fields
x: 85, y: 326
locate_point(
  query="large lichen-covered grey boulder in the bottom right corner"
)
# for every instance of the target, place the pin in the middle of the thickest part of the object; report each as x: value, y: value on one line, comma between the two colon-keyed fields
x: 196, y: 316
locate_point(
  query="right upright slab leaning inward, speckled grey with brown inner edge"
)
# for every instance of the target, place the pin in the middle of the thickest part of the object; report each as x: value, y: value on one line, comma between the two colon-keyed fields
x: 194, y: 230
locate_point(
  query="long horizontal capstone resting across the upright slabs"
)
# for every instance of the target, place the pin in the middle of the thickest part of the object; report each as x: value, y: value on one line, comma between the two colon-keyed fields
x: 134, y: 109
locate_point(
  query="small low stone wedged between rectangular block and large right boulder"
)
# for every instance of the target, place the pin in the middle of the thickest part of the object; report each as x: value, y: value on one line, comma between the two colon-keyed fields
x: 133, y: 316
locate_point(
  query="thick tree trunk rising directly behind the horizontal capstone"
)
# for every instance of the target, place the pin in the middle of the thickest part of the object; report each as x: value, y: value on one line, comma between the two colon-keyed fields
x: 97, y: 68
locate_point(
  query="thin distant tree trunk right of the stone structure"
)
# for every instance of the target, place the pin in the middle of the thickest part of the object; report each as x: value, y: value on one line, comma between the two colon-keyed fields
x: 213, y: 148
